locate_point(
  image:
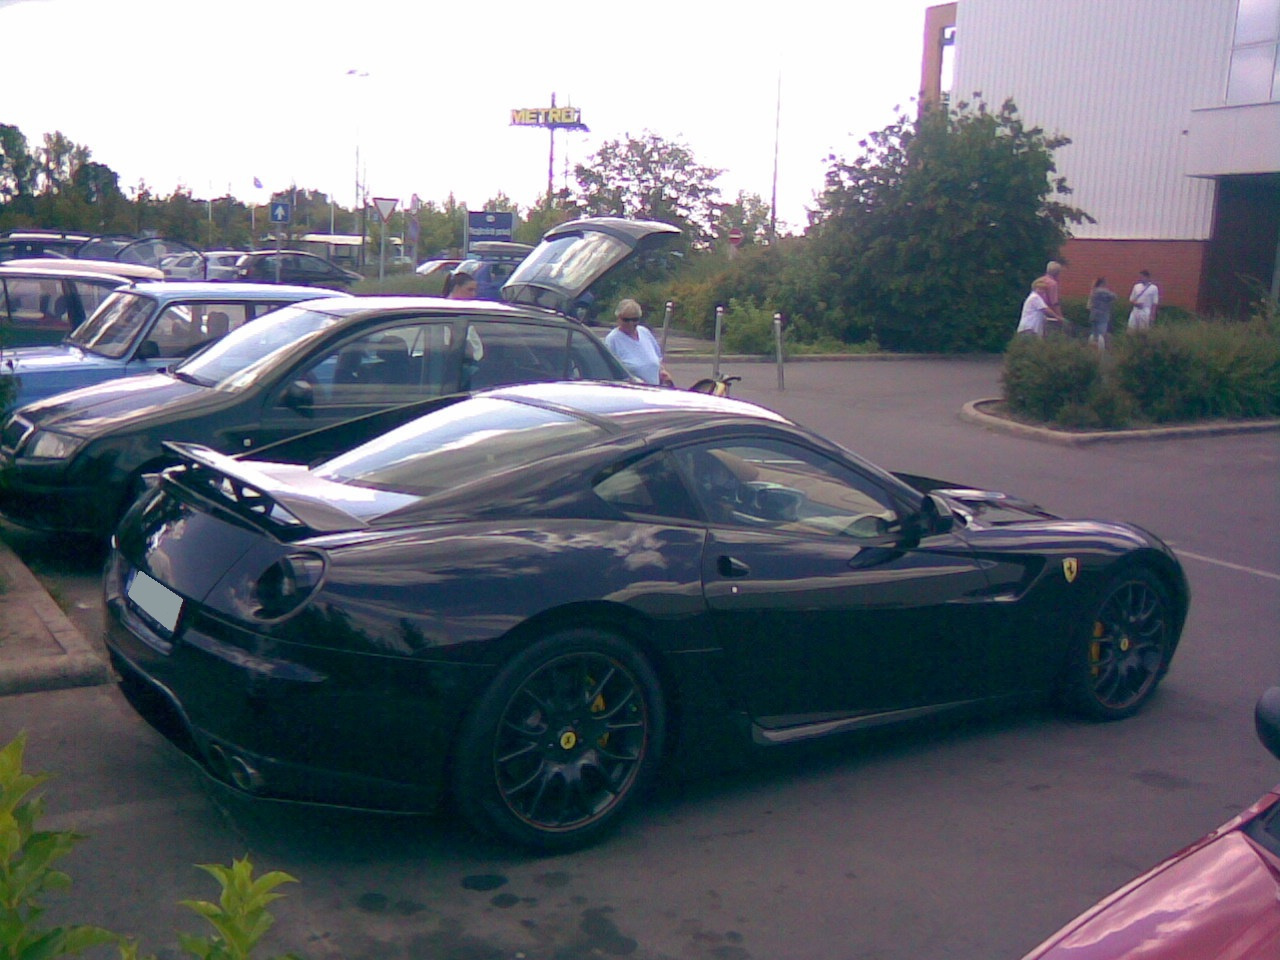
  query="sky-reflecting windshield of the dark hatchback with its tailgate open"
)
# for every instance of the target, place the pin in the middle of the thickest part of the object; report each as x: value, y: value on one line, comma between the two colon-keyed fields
x: 241, y: 358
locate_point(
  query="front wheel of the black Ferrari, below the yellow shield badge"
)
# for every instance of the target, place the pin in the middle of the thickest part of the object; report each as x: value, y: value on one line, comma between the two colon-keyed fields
x: 1122, y: 648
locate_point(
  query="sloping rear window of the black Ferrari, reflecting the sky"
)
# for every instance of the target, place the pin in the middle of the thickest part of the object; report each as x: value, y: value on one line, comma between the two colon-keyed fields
x: 460, y: 445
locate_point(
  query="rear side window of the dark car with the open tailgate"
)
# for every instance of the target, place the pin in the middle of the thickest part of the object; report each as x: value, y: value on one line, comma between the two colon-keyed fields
x: 504, y: 354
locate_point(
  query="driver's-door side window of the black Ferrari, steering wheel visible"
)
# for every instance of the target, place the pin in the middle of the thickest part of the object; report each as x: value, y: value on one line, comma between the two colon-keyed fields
x: 775, y: 484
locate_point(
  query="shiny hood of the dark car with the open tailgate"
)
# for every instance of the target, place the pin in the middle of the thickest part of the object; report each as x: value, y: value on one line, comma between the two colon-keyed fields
x: 120, y: 403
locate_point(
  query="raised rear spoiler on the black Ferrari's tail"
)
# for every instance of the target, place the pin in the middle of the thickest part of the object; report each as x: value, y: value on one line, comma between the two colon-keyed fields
x: 257, y: 495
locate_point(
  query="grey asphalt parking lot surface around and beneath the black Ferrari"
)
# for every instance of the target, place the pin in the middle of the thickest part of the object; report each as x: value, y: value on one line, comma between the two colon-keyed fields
x: 963, y: 842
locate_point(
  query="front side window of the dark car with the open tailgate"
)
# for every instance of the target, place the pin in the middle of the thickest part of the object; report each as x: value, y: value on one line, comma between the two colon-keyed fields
x: 392, y: 365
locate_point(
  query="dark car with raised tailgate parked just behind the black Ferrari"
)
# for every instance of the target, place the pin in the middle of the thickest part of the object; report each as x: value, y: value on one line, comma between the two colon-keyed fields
x: 75, y: 461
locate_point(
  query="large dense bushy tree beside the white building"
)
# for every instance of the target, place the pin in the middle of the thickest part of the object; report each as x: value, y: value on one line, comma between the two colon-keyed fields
x: 939, y: 227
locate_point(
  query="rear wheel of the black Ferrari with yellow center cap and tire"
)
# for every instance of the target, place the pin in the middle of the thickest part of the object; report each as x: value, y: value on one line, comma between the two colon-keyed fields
x: 563, y: 742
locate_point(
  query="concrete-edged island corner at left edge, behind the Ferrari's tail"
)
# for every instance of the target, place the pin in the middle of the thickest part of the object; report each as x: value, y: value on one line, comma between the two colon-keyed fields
x: 58, y: 656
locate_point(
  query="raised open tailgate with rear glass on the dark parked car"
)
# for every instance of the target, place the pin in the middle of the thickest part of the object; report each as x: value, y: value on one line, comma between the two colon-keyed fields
x: 575, y: 255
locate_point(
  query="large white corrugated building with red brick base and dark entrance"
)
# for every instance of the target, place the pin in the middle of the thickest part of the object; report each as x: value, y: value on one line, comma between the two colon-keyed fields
x: 1173, y: 108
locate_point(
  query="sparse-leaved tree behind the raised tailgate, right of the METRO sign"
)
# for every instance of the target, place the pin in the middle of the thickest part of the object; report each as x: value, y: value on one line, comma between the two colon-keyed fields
x: 651, y: 179
